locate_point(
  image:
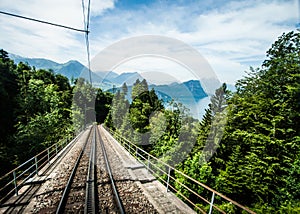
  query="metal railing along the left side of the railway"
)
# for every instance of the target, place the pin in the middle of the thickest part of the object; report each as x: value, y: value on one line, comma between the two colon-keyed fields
x: 12, y: 181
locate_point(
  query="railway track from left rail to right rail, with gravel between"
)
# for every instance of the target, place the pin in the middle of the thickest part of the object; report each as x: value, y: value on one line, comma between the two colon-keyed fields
x: 84, y: 176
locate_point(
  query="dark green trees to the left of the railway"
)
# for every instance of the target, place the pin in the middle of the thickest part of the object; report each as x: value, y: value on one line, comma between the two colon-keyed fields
x: 39, y: 108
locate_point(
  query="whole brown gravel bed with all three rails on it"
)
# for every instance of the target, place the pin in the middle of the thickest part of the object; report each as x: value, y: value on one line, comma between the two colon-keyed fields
x: 90, y: 179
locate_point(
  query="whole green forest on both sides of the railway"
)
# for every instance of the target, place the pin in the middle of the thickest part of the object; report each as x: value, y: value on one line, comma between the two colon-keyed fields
x: 246, y: 146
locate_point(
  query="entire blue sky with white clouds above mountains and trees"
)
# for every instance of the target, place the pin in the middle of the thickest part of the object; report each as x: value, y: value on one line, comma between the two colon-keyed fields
x: 231, y: 35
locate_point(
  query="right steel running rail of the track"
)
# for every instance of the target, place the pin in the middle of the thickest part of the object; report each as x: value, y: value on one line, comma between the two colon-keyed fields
x: 115, y: 191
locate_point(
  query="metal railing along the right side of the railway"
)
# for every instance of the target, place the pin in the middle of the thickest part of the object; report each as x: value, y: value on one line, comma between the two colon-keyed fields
x: 162, y: 172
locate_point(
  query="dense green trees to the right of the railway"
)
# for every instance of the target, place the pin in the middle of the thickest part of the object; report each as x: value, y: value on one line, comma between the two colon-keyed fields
x: 247, y: 144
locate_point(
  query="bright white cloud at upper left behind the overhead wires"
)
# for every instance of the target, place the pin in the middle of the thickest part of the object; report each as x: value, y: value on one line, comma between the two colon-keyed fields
x: 32, y: 39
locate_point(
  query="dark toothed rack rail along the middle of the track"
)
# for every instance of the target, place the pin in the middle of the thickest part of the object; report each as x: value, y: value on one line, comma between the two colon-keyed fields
x: 90, y: 202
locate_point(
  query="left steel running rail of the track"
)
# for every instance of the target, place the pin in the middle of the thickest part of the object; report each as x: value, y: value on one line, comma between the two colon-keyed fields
x: 62, y: 203
